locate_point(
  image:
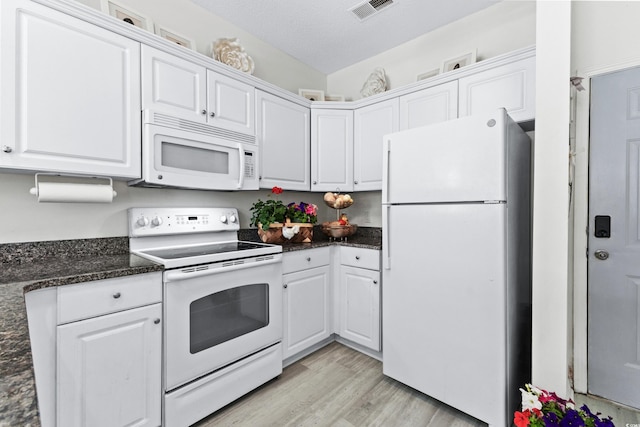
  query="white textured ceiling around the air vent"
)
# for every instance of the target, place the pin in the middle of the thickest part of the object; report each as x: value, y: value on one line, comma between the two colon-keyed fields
x: 325, y: 35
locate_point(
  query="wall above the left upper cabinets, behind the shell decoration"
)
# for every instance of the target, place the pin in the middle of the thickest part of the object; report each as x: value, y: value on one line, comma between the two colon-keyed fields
x: 186, y: 18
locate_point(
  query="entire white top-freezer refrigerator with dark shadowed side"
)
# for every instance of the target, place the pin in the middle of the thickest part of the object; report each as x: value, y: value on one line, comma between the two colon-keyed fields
x: 456, y: 256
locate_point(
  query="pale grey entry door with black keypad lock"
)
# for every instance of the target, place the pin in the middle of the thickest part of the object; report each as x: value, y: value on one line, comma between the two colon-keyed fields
x: 614, y: 267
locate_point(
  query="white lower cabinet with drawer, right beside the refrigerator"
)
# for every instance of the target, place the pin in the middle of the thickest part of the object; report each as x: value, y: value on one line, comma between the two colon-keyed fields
x: 360, y: 296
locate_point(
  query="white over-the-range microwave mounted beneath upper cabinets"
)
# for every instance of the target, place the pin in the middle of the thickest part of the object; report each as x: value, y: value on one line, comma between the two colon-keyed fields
x: 185, y: 154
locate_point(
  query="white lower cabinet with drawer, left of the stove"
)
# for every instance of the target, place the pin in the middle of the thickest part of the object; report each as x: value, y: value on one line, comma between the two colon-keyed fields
x: 108, y: 367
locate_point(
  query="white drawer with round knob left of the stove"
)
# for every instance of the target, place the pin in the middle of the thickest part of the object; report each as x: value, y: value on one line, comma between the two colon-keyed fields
x: 90, y: 299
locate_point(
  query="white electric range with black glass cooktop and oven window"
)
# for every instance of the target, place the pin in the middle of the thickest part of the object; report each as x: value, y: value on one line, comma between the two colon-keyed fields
x: 222, y: 307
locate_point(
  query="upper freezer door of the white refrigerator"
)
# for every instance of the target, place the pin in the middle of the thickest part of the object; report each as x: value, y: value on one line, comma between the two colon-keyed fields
x: 455, y: 161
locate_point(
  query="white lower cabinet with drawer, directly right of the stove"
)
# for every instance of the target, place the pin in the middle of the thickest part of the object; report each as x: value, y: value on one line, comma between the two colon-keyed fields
x: 306, y: 299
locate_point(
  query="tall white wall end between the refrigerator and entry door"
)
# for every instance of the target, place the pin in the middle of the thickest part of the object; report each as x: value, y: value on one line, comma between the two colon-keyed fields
x: 551, y: 302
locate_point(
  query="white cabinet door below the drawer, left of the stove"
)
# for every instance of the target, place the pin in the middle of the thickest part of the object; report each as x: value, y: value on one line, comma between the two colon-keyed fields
x: 109, y: 369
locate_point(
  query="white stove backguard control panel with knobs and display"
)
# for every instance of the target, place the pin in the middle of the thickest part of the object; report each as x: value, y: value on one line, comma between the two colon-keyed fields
x: 163, y: 221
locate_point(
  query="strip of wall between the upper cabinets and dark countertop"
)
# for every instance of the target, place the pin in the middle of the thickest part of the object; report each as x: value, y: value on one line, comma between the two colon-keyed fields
x: 23, y: 219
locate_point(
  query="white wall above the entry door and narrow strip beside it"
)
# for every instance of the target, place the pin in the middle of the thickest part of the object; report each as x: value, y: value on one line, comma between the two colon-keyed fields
x: 604, y: 39
